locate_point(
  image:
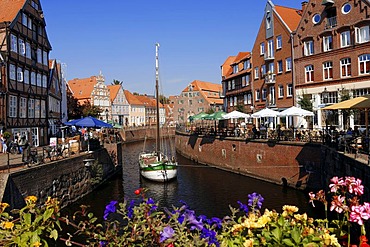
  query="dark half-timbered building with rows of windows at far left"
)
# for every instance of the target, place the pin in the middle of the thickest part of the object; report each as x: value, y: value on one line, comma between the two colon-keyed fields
x: 24, y: 50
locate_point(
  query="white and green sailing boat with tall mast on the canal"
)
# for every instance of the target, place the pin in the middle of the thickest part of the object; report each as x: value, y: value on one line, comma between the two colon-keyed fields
x: 156, y: 165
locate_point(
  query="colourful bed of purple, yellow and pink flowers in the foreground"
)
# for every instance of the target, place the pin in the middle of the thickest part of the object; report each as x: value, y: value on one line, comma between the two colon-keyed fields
x: 140, y: 223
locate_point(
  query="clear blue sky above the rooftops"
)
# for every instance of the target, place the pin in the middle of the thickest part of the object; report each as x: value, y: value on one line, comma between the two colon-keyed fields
x: 118, y: 38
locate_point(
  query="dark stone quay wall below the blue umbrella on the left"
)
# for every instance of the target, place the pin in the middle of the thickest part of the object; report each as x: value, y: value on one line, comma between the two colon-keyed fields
x: 67, y: 180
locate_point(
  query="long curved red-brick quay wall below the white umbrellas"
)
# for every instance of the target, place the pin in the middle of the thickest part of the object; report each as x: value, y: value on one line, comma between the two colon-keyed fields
x: 295, y: 164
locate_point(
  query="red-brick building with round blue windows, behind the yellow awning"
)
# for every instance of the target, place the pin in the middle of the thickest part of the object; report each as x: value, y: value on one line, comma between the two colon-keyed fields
x: 332, y: 55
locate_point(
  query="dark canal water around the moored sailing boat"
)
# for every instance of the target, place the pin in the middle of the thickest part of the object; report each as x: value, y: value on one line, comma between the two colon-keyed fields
x: 208, y: 191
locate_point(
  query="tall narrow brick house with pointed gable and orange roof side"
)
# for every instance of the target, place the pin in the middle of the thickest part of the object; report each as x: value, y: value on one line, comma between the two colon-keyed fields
x: 272, y: 58
